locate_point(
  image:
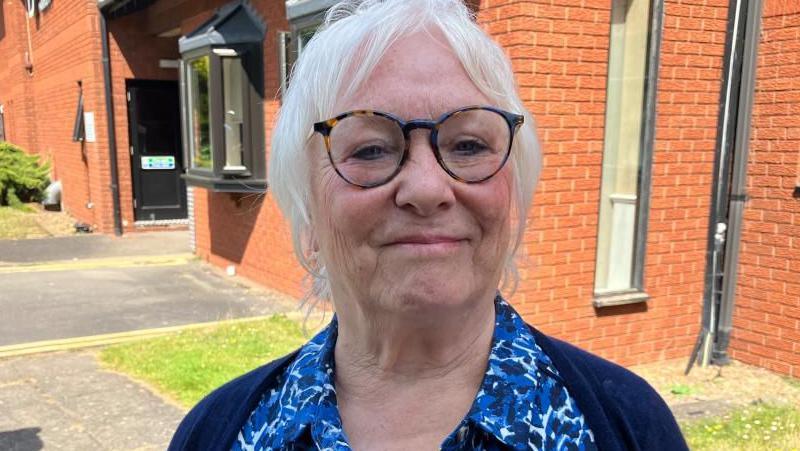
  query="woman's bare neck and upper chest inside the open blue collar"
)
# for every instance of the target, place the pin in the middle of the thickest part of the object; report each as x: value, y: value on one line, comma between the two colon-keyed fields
x: 405, y: 380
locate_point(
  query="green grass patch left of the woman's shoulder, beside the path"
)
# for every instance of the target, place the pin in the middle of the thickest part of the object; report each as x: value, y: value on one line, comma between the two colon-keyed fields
x: 188, y: 365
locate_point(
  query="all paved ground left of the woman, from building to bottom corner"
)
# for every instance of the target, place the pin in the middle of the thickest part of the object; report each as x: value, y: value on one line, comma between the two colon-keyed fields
x: 65, y: 292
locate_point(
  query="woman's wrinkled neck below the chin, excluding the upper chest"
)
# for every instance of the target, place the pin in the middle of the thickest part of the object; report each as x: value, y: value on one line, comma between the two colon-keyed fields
x: 411, y: 348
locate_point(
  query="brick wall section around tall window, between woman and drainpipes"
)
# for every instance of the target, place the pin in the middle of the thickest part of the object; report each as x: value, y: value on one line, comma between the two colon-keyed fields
x: 559, y: 49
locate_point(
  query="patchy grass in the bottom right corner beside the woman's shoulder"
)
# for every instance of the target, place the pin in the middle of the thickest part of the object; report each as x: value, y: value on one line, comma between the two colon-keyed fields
x: 758, y: 427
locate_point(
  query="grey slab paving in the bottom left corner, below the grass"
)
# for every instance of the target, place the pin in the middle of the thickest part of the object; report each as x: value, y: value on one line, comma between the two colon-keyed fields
x: 65, y: 401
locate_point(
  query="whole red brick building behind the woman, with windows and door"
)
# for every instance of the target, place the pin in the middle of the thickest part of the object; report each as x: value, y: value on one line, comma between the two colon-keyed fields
x: 644, y: 109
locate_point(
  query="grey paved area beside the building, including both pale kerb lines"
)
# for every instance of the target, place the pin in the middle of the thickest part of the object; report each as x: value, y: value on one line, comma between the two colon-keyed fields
x: 79, y: 286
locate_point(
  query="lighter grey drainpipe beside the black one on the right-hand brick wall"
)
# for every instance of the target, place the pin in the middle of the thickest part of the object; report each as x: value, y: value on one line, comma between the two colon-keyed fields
x: 738, y: 194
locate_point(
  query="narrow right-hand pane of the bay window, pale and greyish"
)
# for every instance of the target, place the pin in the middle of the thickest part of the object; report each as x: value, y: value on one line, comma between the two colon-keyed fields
x: 232, y: 95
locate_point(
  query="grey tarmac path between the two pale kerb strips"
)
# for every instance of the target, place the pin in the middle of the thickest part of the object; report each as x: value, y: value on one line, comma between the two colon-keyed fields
x: 69, y: 303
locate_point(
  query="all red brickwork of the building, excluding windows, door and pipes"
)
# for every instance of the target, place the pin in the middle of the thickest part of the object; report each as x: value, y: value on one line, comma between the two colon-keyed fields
x: 559, y: 51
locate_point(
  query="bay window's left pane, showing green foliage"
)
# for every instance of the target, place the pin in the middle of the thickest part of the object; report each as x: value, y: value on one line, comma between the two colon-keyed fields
x: 199, y: 110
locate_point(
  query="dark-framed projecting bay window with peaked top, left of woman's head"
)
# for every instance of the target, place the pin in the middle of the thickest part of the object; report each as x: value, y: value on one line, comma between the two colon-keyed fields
x: 223, y: 91
